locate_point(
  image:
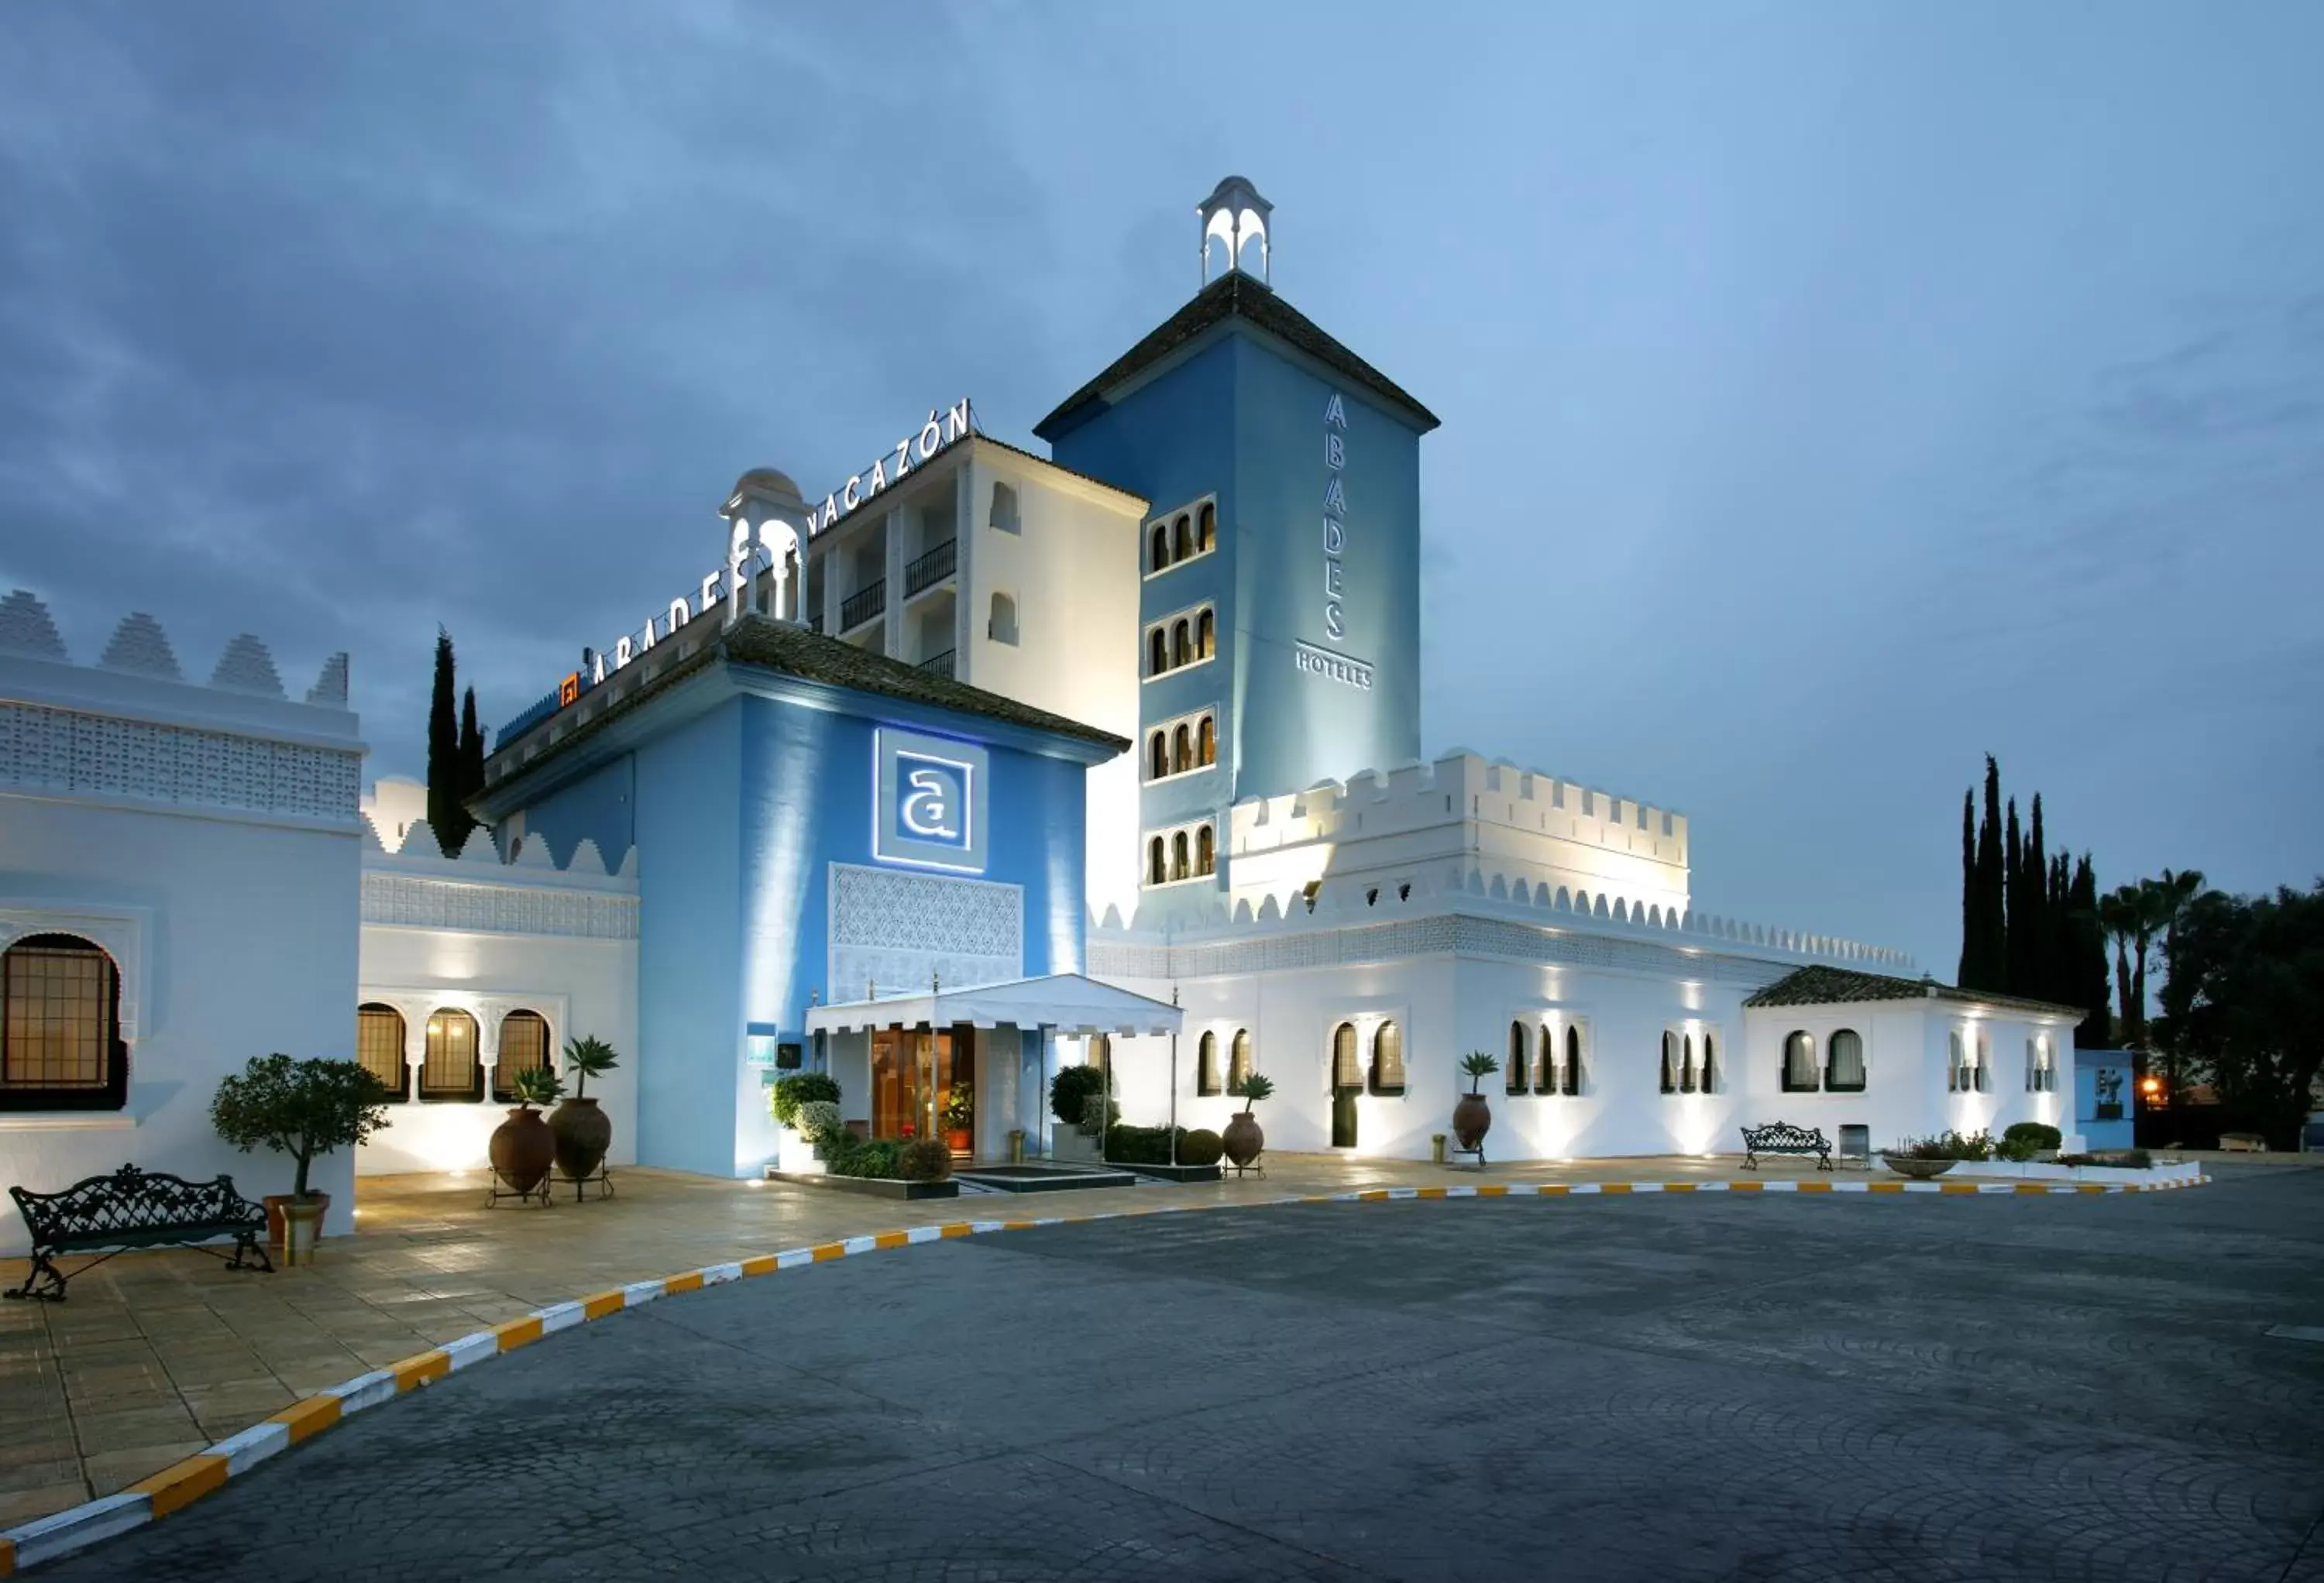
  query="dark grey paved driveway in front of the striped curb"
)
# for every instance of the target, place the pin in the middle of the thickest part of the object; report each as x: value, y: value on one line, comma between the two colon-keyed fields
x: 1602, y: 1389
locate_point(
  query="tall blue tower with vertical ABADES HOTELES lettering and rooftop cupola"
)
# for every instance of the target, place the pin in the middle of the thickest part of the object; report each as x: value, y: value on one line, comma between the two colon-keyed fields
x: 1282, y: 571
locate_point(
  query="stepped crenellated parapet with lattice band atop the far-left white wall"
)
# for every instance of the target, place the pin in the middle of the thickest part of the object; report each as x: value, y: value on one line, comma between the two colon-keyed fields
x: 134, y: 731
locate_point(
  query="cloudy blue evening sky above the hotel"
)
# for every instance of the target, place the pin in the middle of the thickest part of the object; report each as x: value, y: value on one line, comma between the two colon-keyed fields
x: 1830, y: 394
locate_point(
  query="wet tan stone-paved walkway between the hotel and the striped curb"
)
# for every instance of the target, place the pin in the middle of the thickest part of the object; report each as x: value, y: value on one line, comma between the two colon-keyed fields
x: 162, y: 1354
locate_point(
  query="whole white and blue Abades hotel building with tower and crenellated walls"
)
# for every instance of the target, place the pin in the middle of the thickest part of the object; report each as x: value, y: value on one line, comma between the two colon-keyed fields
x: 1175, y: 673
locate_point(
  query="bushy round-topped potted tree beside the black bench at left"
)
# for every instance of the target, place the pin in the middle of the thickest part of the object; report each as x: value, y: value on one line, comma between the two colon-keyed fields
x: 301, y: 1110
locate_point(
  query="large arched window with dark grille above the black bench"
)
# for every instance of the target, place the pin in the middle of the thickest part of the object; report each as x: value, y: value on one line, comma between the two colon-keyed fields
x: 62, y: 1029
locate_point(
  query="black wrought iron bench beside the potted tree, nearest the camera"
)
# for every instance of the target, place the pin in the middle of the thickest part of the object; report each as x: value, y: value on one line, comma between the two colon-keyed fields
x: 136, y: 1210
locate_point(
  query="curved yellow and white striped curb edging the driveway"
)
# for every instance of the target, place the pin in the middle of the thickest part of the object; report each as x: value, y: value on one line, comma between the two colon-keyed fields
x: 208, y: 1470
